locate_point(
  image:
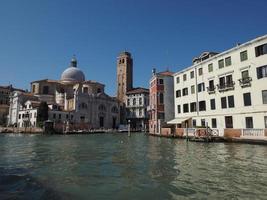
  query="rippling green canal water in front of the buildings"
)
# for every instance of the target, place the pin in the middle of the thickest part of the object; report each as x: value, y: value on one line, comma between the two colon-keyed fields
x: 115, y: 166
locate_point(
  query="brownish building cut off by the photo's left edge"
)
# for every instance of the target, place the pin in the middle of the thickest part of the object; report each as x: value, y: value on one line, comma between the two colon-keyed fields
x: 5, y: 92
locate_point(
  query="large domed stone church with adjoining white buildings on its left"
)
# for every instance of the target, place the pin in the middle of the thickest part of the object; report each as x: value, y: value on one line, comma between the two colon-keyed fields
x: 71, y: 99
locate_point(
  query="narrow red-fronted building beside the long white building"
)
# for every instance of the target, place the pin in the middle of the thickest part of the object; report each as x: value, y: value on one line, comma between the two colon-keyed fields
x: 161, y: 101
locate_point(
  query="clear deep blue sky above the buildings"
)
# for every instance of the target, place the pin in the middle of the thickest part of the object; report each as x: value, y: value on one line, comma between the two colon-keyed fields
x: 38, y: 38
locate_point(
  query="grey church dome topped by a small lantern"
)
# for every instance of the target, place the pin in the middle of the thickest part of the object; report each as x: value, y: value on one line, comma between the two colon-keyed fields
x: 72, y: 73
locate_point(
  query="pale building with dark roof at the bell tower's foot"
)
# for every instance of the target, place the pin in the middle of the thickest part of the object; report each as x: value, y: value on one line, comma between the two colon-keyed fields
x: 137, y: 101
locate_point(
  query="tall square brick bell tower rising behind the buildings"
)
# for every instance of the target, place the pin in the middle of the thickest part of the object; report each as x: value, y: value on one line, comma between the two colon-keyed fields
x: 124, y: 75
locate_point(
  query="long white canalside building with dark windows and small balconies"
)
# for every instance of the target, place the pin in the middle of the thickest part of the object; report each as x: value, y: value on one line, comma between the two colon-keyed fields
x: 226, y: 90
